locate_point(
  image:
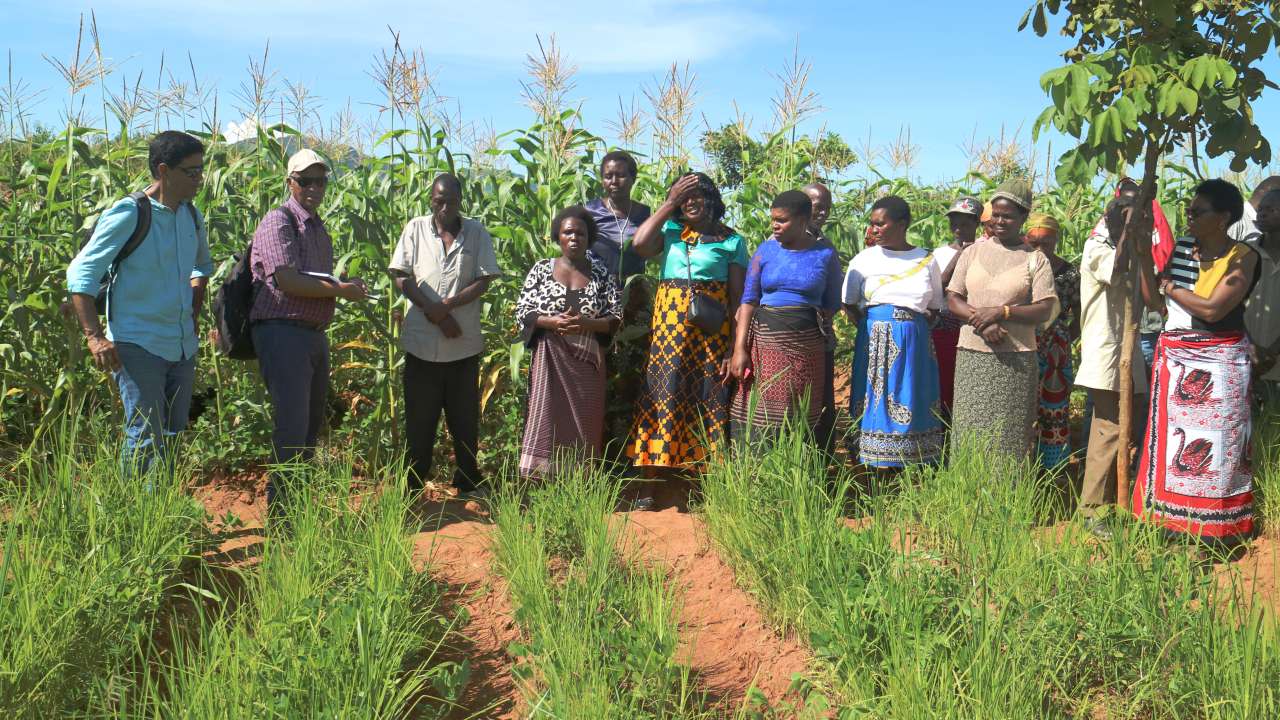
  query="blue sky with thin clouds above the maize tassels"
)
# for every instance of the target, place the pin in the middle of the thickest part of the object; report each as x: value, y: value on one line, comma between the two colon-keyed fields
x: 949, y: 76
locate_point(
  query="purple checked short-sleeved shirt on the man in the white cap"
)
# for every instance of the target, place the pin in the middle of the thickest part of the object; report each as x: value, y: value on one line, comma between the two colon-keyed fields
x: 278, y: 244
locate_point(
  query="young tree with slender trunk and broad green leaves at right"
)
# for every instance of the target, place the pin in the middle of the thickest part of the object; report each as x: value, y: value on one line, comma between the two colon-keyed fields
x: 1148, y: 76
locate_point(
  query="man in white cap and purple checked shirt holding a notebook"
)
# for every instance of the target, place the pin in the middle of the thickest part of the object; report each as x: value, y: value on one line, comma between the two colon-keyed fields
x: 292, y: 262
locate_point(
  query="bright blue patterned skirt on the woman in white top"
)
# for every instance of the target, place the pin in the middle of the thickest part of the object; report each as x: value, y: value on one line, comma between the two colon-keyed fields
x: 900, y: 403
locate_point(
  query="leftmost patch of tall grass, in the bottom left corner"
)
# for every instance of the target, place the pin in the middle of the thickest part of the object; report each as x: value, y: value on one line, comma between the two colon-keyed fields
x: 88, y: 560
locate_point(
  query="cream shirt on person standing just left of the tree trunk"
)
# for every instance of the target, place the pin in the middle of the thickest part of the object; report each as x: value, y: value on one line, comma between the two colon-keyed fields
x: 1103, y: 321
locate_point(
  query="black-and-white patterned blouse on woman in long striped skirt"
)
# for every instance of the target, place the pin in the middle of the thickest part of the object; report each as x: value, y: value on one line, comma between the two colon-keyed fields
x: 545, y: 295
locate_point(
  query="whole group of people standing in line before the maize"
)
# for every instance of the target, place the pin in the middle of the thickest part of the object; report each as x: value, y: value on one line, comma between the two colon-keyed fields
x: 971, y: 340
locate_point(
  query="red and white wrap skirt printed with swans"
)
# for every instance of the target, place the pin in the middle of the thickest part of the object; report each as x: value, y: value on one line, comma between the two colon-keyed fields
x: 1196, y: 475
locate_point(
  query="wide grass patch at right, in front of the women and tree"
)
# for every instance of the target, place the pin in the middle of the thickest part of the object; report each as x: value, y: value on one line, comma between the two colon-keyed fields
x: 958, y: 599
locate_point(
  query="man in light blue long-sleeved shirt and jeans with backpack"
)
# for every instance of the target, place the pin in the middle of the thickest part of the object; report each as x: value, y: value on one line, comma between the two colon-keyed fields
x: 150, y: 340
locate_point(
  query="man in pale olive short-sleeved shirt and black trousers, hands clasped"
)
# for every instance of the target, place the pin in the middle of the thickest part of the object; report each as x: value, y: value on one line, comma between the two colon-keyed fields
x: 444, y: 265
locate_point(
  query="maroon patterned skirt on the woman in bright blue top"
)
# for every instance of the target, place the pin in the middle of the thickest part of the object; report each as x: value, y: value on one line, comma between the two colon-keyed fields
x: 788, y: 373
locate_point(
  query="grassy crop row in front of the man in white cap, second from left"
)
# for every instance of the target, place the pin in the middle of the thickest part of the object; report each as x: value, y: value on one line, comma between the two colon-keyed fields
x: 339, y: 625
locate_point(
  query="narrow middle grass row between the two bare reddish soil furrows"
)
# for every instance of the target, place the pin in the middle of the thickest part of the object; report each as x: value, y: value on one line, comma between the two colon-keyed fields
x: 600, y: 627
